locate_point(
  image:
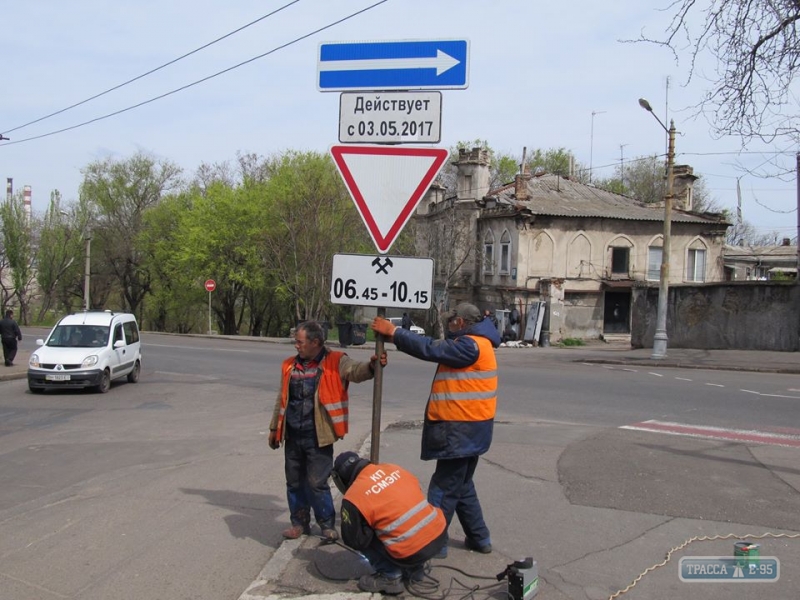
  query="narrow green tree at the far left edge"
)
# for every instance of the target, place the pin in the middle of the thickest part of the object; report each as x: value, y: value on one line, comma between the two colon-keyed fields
x: 18, y: 252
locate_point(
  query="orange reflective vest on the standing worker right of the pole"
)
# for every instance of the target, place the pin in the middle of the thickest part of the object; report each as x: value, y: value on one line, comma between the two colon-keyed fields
x: 466, y: 394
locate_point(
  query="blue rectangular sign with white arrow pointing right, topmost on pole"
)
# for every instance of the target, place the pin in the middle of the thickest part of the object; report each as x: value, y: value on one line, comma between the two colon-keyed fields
x: 402, y: 65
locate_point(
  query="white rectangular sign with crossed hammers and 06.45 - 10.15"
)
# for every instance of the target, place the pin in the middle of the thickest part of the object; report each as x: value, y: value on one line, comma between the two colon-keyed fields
x: 388, y: 281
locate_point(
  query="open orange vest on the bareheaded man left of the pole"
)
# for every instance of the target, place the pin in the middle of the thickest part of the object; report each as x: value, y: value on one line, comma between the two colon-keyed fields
x: 331, y: 393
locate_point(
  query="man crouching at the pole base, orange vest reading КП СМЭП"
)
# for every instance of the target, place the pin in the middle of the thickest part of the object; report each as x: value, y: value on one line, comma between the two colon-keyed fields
x: 386, y: 517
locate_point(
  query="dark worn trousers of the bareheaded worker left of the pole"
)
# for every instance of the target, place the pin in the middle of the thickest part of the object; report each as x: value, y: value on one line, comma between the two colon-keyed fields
x: 308, y: 468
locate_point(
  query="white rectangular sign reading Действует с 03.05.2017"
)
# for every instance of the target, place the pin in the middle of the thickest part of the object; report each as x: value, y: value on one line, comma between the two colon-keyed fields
x: 390, y: 117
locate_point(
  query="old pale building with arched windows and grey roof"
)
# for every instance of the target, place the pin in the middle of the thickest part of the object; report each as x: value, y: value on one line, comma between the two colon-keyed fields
x: 547, y: 238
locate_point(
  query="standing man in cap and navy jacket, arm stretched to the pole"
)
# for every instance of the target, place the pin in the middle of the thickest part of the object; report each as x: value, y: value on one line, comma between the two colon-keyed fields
x: 459, y: 415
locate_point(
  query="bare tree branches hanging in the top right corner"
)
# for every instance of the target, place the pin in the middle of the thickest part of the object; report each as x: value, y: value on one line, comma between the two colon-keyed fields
x: 756, y: 44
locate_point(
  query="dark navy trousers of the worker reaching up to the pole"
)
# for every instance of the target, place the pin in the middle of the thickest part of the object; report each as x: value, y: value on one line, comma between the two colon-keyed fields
x: 452, y: 489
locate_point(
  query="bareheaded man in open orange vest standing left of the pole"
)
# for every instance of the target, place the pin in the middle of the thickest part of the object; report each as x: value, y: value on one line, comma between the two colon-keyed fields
x: 310, y: 414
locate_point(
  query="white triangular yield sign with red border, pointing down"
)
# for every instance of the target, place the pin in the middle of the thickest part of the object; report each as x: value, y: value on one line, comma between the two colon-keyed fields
x: 387, y: 183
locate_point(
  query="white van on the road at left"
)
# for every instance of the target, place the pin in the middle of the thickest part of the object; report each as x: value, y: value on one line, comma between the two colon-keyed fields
x: 87, y: 349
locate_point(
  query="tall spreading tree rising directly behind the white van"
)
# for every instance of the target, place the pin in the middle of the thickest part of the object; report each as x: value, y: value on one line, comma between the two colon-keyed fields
x: 119, y: 193
